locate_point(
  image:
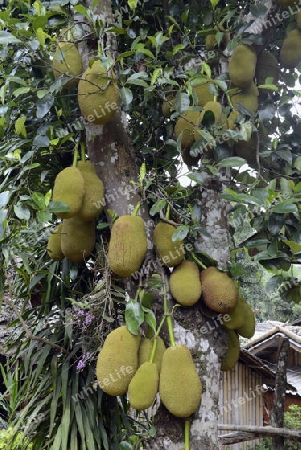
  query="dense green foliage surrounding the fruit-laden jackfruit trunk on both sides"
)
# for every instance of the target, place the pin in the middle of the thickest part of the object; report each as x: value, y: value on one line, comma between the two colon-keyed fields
x: 74, y: 306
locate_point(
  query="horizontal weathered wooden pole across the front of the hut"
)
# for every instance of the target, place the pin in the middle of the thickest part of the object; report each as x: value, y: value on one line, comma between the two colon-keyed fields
x: 246, y: 433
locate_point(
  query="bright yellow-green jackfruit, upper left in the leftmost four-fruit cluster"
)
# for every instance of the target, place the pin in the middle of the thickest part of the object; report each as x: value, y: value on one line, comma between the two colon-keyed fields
x: 69, y: 188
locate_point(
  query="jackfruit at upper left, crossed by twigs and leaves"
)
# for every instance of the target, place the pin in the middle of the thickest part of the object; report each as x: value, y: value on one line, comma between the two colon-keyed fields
x: 67, y: 61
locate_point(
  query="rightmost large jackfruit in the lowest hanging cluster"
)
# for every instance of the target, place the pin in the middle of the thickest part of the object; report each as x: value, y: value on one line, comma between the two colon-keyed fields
x: 180, y: 387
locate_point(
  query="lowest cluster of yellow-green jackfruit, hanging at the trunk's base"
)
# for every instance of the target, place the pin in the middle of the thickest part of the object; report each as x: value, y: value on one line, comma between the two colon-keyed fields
x: 125, y: 365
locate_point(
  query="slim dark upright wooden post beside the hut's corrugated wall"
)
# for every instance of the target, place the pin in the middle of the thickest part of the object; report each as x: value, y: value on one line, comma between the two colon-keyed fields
x: 277, y: 416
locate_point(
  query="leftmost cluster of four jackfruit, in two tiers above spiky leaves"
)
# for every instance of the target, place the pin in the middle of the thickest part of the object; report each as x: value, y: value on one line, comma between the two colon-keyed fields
x: 83, y: 192
